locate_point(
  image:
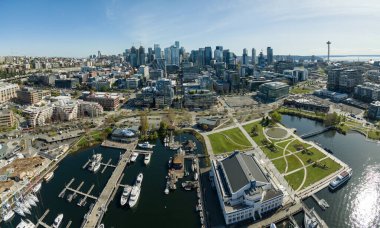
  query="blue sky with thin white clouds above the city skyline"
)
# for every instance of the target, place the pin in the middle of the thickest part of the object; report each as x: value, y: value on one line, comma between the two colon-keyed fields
x: 79, y: 28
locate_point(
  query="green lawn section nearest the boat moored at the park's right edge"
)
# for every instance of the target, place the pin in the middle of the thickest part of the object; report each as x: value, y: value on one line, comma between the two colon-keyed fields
x: 315, y: 174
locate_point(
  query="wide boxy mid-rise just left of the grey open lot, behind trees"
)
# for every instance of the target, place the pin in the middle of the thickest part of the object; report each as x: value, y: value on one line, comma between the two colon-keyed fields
x: 199, y: 99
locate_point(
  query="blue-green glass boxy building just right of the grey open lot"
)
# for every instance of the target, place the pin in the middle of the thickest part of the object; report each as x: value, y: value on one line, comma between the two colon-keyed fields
x: 273, y: 91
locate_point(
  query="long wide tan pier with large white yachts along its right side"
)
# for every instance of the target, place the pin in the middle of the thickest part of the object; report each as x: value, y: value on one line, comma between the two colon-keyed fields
x: 95, y: 215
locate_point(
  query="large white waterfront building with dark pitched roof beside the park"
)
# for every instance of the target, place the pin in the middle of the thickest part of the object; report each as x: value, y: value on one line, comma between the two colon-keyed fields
x: 243, y: 188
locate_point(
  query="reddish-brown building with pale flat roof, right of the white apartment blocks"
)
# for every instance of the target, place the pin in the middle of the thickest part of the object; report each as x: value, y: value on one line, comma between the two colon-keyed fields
x: 109, y: 101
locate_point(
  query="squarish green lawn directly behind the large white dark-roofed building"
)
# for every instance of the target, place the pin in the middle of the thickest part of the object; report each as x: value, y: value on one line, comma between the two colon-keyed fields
x: 221, y: 144
